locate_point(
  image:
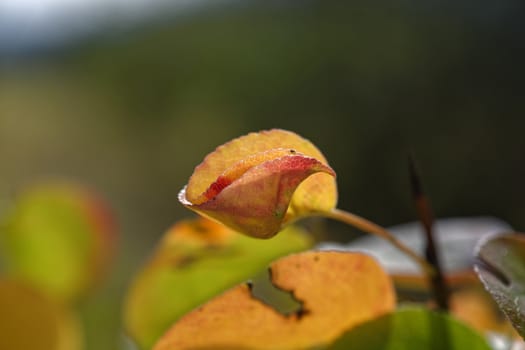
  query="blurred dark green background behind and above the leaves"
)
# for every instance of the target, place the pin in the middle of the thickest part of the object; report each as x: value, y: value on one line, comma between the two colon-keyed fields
x: 128, y: 96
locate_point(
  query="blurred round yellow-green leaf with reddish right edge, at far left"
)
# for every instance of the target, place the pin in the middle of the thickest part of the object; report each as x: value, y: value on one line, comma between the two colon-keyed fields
x: 60, y: 238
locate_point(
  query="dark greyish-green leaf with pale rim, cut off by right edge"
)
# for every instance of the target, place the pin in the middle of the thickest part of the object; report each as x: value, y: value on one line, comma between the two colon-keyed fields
x: 500, y: 266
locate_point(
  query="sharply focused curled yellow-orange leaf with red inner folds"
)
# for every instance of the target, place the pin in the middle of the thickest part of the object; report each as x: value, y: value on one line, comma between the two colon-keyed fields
x: 257, y: 183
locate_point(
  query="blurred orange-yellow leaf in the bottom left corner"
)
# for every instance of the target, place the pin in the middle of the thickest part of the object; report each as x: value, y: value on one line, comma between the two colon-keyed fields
x: 30, y: 320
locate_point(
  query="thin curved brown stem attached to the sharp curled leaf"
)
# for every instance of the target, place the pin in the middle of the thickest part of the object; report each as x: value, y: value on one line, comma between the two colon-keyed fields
x: 369, y: 227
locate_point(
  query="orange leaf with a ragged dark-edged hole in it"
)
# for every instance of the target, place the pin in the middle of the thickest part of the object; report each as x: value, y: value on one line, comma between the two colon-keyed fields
x: 337, y: 291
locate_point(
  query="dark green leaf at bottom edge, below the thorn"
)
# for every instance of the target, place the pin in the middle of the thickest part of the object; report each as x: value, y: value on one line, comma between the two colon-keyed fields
x: 412, y: 328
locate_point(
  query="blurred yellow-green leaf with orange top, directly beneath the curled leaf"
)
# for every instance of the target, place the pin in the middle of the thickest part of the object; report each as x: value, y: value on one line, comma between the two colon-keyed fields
x: 196, y: 260
